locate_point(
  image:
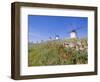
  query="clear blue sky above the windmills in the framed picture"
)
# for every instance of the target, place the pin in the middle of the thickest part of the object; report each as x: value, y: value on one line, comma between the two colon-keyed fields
x: 43, y: 27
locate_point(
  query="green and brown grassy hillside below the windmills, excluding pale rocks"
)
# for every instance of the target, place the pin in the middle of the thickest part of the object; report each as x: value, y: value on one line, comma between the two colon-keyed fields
x: 54, y: 53
